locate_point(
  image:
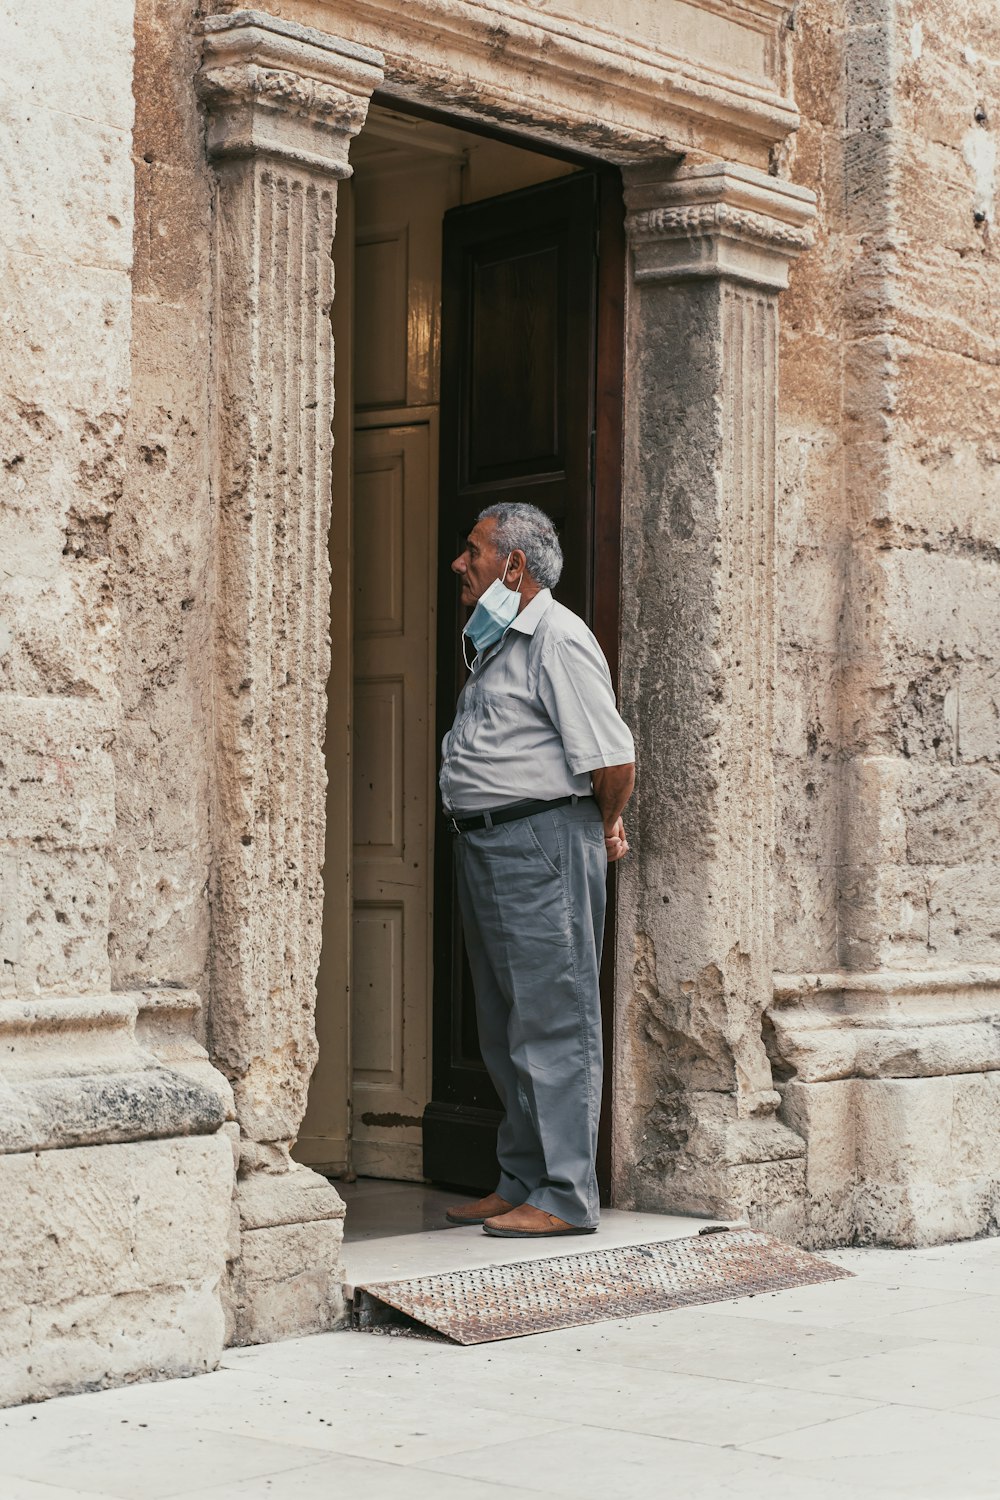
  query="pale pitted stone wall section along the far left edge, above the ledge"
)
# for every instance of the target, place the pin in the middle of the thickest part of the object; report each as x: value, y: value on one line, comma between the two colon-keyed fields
x: 65, y: 380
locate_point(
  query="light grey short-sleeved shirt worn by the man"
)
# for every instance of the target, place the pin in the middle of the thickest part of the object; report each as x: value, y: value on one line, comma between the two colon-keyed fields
x: 536, y: 716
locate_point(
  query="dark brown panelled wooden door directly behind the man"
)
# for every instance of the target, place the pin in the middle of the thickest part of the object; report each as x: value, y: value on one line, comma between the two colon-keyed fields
x: 518, y: 422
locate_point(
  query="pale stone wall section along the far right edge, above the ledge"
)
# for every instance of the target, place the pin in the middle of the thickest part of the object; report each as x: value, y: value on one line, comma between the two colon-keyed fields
x: 923, y: 703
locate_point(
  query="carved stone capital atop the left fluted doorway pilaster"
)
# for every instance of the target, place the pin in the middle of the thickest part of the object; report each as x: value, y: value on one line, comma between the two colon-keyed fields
x: 283, y: 91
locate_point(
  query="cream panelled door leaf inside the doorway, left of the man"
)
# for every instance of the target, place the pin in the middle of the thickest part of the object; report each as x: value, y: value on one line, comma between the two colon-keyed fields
x: 394, y: 799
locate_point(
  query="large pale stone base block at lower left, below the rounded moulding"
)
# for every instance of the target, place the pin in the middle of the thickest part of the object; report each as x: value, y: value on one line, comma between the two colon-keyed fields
x: 112, y: 1261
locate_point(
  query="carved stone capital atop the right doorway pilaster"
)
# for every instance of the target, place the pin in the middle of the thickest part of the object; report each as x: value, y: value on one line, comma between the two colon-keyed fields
x: 717, y: 221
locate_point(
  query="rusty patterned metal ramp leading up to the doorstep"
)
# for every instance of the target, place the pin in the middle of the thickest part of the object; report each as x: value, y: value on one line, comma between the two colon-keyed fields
x: 537, y: 1297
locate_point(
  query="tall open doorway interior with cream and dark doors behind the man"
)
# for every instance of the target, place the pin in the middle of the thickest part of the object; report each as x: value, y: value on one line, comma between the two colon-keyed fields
x: 479, y: 356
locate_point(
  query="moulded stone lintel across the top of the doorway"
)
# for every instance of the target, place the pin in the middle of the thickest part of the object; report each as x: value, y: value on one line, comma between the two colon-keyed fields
x: 581, y: 79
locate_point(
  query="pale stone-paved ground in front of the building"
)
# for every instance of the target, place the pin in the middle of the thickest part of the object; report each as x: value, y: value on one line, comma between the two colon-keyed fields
x: 884, y: 1385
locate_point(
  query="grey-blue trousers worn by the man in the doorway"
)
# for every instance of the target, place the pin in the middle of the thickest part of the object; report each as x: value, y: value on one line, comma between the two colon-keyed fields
x: 533, y: 898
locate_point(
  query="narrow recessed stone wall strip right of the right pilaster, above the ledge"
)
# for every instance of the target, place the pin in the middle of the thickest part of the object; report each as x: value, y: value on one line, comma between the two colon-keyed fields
x: 810, y: 527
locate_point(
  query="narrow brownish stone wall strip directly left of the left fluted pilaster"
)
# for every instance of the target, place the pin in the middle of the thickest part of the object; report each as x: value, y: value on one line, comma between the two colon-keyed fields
x: 161, y: 536
